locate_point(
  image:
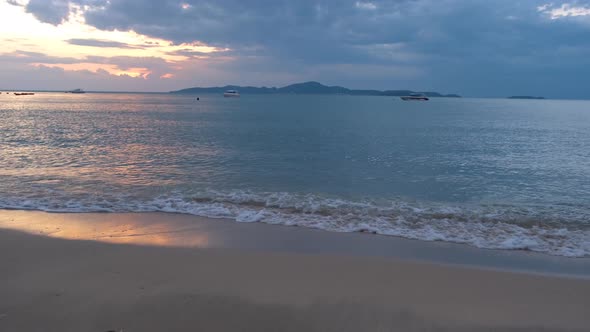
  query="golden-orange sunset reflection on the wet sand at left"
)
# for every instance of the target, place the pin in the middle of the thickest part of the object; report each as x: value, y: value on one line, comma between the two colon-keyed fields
x: 132, y: 228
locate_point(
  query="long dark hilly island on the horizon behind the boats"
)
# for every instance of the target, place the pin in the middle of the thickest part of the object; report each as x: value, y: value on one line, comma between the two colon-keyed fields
x: 308, y: 88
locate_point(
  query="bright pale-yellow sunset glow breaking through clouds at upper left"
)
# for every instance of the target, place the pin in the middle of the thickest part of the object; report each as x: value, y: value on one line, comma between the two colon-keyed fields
x: 75, y: 46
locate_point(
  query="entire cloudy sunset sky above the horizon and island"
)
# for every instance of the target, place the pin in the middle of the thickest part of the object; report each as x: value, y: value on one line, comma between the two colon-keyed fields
x: 479, y: 48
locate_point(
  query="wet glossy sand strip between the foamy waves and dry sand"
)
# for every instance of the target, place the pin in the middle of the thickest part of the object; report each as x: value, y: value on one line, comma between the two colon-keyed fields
x: 181, y: 230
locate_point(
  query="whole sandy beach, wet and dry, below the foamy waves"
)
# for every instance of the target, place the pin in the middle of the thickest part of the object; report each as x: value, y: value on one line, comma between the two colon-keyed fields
x: 165, y: 272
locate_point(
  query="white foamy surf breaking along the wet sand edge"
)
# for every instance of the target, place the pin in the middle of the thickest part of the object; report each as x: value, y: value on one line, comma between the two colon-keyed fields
x: 494, y: 227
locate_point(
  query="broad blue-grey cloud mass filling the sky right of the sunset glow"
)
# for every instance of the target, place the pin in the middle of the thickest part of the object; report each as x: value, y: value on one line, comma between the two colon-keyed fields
x: 469, y: 46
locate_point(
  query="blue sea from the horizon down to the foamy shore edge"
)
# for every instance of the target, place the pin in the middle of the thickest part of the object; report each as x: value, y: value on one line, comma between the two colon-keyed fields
x: 492, y: 173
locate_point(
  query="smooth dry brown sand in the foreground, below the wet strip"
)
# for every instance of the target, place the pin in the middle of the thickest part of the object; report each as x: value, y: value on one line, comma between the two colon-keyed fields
x: 50, y: 284
